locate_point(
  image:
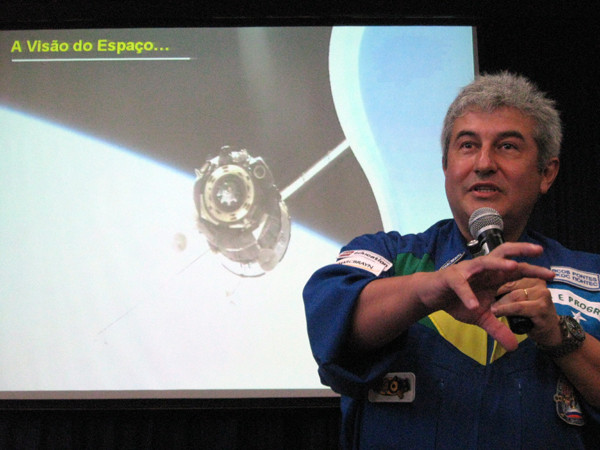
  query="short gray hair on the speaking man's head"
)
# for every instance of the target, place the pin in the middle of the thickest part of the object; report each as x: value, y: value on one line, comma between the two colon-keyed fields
x: 490, y: 92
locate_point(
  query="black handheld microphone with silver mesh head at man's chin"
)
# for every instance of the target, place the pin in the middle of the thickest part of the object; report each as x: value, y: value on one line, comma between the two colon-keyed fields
x: 486, y: 226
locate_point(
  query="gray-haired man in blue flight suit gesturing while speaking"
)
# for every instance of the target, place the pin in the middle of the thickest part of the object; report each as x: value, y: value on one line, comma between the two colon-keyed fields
x: 412, y: 330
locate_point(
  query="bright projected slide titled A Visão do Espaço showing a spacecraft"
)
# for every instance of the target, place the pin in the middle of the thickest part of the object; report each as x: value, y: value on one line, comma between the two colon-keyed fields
x: 166, y: 194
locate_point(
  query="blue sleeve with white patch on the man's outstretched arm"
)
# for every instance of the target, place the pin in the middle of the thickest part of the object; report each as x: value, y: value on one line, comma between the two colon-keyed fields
x: 329, y: 299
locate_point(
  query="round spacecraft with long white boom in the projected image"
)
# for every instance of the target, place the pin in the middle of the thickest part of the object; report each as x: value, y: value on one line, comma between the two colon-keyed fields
x: 242, y: 213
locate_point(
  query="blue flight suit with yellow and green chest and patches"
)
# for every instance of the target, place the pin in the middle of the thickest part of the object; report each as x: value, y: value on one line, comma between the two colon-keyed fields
x: 468, y: 391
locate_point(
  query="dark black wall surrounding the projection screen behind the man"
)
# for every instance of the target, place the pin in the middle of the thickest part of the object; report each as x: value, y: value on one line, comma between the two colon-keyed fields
x: 555, y: 44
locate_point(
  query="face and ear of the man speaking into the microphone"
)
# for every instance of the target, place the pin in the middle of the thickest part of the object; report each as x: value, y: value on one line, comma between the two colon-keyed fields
x: 492, y: 161
